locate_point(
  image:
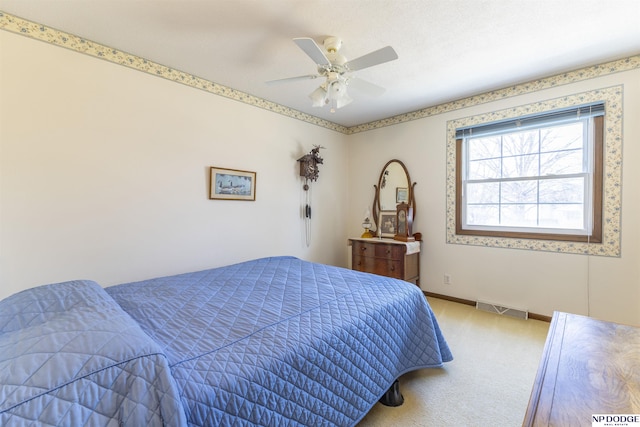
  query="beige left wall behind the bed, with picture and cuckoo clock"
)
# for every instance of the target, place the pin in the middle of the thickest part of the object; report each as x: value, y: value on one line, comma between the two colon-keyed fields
x: 103, y: 174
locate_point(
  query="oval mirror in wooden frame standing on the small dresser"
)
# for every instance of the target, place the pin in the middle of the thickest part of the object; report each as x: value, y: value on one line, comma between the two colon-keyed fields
x: 394, y: 186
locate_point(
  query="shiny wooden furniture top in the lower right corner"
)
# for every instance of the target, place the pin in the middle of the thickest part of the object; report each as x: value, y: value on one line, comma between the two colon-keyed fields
x: 588, y: 367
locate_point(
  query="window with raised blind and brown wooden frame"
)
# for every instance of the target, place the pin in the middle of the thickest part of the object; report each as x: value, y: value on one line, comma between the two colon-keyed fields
x: 536, y: 176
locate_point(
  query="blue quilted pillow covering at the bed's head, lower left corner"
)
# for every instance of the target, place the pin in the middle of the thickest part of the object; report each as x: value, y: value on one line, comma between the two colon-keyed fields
x: 69, y: 356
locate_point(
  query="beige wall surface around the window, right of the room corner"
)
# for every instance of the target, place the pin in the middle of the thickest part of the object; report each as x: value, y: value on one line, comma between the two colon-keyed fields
x: 541, y: 282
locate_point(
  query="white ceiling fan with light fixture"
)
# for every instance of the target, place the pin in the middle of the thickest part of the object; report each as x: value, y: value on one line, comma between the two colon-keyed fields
x: 336, y: 70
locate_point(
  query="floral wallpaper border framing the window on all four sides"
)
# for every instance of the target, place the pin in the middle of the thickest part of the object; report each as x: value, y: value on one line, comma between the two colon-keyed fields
x: 612, y: 198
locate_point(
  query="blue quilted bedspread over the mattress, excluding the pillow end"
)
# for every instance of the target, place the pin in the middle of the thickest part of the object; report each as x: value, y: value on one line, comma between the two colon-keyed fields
x: 281, y: 342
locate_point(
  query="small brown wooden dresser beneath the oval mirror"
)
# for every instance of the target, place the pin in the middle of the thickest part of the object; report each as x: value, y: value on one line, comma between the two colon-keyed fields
x: 387, y: 257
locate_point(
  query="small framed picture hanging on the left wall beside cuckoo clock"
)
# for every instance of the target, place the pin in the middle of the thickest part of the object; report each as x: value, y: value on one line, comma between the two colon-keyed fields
x: 232, y: 184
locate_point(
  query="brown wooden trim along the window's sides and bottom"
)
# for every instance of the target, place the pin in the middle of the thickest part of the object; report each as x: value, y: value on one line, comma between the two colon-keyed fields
x: 596, y: 233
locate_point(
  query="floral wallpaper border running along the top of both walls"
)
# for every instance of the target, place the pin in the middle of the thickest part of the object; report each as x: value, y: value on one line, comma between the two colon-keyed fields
x: 43, y: 33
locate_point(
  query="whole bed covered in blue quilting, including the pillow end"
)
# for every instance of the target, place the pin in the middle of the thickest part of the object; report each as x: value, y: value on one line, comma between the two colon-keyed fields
x: 273, y: 341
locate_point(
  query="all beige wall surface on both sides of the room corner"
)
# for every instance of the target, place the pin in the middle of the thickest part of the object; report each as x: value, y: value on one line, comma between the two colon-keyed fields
x: 103, y: 175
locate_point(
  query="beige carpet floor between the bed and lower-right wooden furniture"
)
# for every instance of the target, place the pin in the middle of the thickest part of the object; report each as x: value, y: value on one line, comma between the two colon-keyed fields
x: 487, y: 384
